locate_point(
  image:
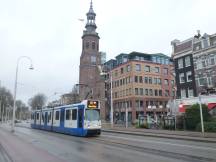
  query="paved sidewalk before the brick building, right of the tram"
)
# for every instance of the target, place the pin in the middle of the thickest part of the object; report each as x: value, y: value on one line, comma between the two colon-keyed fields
x: 182, y: 135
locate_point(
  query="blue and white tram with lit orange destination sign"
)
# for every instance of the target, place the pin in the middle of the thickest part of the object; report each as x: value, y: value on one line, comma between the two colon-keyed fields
x: 81, y: 119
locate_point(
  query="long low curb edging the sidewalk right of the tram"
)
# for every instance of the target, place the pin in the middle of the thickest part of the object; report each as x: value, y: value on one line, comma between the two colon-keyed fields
x: 201, y: 139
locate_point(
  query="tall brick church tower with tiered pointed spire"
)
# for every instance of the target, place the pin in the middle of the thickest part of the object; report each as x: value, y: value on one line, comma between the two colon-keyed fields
x: 89, y: 76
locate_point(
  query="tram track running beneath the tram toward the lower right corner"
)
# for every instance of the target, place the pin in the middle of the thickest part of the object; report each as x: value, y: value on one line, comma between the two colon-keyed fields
x: 123, y: 145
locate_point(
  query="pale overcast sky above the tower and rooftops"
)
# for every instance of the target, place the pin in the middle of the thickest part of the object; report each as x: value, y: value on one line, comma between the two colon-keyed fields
x: 50, y: 33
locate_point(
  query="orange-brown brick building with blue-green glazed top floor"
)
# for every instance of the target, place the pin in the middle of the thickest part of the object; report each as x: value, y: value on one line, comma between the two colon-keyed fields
x: 141, y: 83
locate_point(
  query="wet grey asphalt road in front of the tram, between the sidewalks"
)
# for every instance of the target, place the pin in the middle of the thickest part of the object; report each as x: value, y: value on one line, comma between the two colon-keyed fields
x: 113, y: 147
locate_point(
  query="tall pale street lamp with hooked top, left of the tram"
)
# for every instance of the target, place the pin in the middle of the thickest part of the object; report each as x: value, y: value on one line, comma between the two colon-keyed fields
x: 15, y: 87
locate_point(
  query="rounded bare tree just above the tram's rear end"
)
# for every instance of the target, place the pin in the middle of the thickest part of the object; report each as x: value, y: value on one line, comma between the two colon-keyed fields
x: 38, y: 101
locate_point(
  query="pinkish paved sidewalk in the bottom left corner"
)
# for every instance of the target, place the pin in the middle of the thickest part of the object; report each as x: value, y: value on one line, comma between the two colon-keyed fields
x: 18, y: 150
